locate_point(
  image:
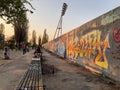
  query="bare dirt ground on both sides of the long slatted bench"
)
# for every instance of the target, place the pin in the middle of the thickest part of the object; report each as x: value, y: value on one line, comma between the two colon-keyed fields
x: 58, y: 74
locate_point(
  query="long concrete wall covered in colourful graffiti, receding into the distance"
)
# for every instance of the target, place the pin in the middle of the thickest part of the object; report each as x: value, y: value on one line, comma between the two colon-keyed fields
x: 95, y: 44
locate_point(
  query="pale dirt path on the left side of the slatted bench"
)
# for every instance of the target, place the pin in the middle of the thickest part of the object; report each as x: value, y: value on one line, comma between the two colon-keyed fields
x: 11, y: 71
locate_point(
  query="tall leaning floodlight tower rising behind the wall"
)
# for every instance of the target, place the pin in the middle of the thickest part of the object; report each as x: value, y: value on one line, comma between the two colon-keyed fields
x: 58, y: 31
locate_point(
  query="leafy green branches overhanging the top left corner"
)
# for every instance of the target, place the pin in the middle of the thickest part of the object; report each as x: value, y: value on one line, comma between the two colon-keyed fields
x: 10, y: 10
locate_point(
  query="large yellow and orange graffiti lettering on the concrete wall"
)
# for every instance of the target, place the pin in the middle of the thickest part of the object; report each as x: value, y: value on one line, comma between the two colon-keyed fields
x: 90, y: 45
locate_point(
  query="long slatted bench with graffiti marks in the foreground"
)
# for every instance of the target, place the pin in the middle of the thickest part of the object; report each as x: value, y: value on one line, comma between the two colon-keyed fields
x: 32, y: 79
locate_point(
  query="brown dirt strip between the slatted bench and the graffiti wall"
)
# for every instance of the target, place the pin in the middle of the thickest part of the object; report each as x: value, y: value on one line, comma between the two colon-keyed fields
x: 67, y: 76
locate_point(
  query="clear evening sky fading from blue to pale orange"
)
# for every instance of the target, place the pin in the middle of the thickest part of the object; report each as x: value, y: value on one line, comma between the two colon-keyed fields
x: 47, y: 14
